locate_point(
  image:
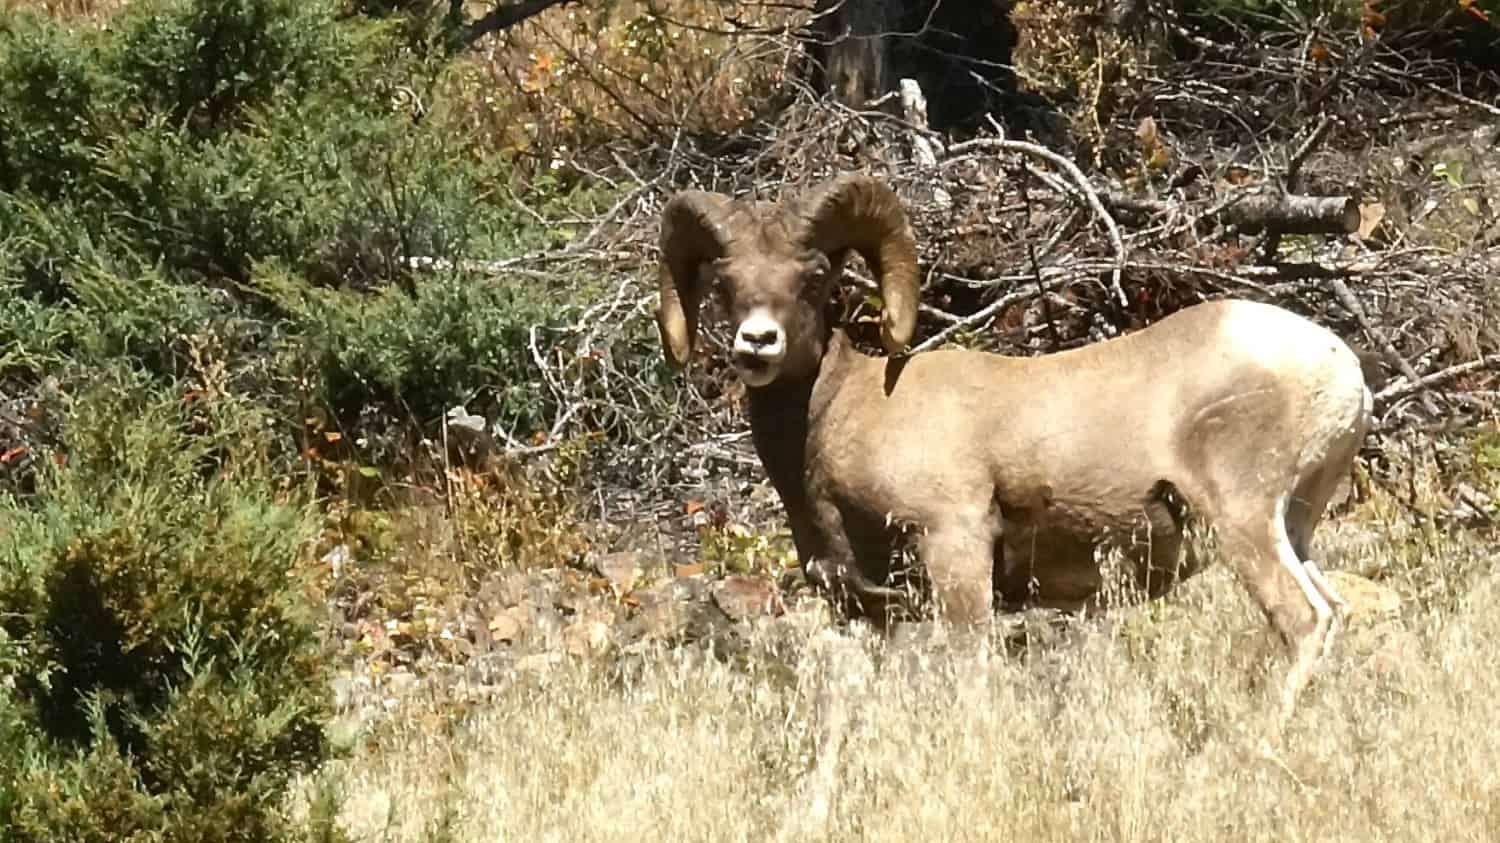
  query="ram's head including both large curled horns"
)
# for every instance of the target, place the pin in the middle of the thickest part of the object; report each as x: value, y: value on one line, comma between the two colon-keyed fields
x: 776, y: 268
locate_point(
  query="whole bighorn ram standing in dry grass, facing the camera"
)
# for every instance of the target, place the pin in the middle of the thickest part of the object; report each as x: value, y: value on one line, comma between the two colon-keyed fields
x: 1013, y: 470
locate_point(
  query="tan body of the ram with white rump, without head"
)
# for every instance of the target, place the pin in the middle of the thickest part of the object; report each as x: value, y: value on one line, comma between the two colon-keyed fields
x: 1034, y: 464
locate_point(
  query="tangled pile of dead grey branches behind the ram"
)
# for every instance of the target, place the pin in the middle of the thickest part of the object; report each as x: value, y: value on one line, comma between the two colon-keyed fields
x: 1343, y: 184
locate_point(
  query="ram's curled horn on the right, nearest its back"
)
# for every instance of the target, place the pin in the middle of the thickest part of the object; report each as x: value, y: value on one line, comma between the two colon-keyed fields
x: 863, y: 214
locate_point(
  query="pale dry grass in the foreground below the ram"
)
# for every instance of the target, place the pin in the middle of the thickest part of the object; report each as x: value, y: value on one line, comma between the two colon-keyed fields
x: 1142, y: 727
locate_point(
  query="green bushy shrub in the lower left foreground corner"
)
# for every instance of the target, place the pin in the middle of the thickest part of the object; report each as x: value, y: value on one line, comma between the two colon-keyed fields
x: 160, y: 643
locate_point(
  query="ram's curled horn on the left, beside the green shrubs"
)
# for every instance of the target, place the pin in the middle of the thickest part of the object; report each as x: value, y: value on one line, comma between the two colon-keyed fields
x: 694, y: 230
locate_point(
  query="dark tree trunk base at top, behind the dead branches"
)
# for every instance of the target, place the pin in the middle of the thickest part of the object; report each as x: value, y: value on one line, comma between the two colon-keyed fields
x: 958, y: 50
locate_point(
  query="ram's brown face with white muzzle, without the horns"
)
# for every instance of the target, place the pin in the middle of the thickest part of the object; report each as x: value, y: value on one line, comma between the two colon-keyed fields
x: 776, y: 302
